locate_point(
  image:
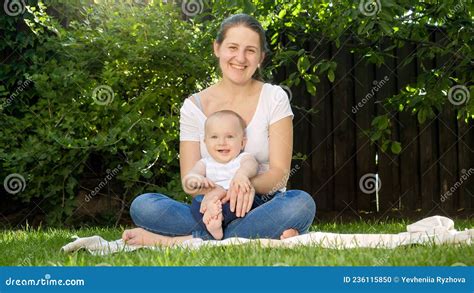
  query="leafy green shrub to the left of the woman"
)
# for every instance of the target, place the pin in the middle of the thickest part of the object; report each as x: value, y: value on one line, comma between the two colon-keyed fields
x: 103, y: 94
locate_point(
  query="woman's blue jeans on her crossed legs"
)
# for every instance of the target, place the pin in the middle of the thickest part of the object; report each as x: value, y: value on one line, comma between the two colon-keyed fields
x: 293, y: 209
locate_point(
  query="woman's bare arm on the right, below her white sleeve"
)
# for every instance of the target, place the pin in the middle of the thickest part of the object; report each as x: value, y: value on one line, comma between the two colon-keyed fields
x: 280, y: 153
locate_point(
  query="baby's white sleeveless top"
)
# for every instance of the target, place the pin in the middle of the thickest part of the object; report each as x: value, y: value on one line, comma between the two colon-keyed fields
x: 222, y: 174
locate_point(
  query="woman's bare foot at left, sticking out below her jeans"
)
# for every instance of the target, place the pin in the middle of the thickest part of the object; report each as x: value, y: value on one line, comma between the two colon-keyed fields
x: 139, y: 236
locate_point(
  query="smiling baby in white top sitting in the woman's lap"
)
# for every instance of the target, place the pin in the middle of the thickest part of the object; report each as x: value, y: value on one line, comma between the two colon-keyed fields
x: 227, y: 166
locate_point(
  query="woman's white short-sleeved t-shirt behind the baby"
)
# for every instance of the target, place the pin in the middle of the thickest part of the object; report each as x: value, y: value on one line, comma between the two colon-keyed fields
x: 273, y: 105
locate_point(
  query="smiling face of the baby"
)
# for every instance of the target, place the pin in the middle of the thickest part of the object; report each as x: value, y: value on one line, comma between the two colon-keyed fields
x: 224, y: 138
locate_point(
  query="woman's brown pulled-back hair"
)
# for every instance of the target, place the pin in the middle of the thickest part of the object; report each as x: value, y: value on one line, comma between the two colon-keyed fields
x: 250, y: 22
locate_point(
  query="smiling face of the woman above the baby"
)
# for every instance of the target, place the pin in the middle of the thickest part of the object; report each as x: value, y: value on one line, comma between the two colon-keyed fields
x: 239, y: 54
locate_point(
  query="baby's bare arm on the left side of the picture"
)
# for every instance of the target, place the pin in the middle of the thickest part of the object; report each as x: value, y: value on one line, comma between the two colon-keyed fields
x: 195, y: 181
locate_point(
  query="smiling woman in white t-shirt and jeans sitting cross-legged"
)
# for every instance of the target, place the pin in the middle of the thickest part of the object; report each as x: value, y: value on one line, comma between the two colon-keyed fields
x: 240, y: 48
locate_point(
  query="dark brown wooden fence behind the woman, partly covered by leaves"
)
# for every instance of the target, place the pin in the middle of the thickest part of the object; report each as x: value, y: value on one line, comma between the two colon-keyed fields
x: 434, y: 171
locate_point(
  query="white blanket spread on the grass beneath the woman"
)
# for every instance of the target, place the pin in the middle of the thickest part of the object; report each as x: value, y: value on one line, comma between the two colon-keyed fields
x: 432, y: 230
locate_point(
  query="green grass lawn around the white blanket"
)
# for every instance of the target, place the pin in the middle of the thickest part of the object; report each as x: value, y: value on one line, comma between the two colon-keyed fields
x: 40, y: 247
